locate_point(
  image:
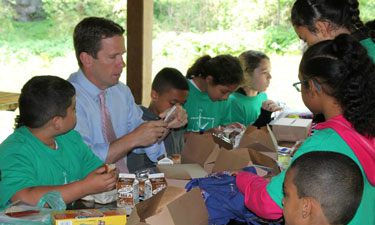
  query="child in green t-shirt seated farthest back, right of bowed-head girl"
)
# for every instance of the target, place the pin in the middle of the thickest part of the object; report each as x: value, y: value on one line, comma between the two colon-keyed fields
x: 249, y: 105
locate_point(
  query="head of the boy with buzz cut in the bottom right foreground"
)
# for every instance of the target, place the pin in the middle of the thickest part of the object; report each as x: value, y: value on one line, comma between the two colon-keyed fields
x: 322, y: 188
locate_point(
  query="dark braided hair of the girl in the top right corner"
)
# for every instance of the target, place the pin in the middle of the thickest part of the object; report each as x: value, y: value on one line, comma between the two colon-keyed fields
x: 342, y: 13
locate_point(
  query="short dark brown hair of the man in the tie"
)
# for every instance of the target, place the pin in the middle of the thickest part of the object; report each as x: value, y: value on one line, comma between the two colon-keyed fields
x: 90, y: 31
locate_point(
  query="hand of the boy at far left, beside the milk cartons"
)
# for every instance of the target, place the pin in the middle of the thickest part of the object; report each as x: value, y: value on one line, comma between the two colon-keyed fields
x: 98, y: 181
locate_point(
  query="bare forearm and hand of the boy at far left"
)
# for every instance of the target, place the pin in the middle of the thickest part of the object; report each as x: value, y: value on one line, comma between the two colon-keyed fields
x: 97, y: 181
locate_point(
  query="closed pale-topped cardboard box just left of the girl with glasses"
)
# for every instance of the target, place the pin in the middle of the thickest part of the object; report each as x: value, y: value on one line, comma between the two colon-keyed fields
x: 291, y: 129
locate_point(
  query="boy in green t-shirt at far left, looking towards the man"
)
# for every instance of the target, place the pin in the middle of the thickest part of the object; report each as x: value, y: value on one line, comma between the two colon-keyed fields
x: 44, y: 153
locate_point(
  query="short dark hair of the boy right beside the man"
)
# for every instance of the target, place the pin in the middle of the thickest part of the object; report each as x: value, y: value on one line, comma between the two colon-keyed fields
x: 168, y: 78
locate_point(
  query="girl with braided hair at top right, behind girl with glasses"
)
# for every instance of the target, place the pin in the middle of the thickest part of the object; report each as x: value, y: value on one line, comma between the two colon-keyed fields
x: 318, y: 20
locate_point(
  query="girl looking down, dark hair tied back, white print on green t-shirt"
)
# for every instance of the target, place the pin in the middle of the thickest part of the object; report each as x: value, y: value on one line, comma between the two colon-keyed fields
x: 211, y: 81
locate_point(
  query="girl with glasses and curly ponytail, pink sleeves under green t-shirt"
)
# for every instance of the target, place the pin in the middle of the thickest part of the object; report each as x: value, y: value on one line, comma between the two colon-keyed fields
x: 337, y: 79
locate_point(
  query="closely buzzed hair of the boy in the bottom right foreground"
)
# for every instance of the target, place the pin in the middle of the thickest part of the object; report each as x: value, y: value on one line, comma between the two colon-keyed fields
x: 331, y: 178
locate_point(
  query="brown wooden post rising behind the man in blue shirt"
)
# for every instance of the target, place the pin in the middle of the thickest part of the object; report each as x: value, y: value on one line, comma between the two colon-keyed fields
x: 139, y: 49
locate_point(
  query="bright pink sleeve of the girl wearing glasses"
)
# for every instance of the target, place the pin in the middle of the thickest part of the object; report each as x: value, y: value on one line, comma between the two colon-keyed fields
x: 257, y: 198
